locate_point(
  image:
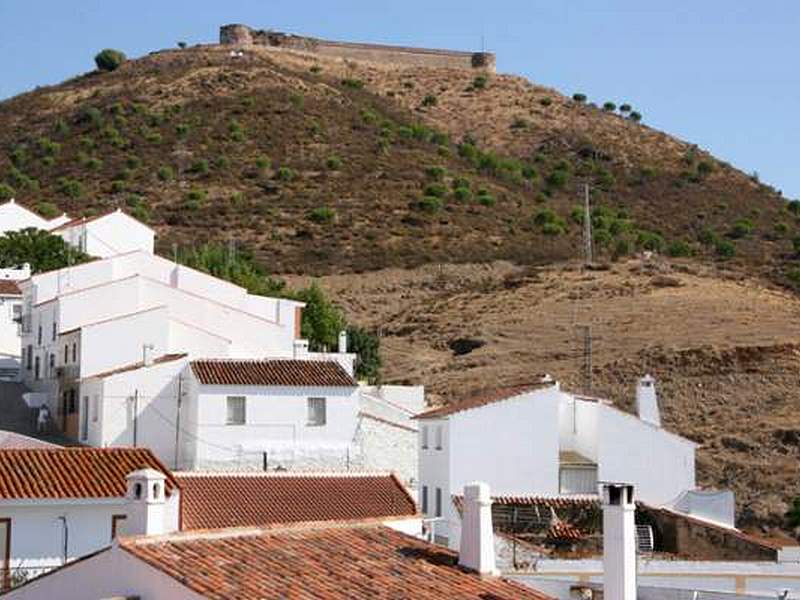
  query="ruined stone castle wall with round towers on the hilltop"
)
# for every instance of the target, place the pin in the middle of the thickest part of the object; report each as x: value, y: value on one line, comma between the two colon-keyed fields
x: 242, y: 35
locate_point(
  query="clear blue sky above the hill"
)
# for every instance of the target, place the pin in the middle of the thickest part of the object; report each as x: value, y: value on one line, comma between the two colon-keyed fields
x: 718, y: 73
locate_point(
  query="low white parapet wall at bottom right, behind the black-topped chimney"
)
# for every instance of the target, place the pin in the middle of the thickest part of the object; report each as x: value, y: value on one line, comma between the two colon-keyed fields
x: 747, y: 577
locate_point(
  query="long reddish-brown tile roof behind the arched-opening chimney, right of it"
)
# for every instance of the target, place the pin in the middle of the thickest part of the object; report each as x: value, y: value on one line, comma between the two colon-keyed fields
x: 216, y: 500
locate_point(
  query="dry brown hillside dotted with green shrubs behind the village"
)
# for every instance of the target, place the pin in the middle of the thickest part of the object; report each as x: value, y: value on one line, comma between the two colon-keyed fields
x: 441, y: 211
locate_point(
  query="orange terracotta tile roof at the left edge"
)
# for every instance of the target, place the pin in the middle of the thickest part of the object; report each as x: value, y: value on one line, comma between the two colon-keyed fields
x: 72, y: 472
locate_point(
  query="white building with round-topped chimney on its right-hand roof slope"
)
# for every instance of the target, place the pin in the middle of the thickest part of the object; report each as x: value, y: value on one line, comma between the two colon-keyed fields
x: 540, y: 440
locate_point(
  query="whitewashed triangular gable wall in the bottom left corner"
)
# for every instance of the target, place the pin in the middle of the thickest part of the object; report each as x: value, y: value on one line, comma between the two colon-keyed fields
x: 114, y: 573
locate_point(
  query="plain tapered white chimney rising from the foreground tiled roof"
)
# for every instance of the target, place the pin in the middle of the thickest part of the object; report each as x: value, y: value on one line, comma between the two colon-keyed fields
x: 477, y: 535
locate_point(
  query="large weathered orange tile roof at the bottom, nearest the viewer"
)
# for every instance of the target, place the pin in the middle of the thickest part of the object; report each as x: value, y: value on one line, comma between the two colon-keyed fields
x: 334, y: 562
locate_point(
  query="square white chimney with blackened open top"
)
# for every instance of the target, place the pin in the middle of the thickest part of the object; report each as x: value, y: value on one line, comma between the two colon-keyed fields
x: 619, y: 542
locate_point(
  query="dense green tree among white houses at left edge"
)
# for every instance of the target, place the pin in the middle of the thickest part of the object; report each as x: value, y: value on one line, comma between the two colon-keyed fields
x: 42, y: 250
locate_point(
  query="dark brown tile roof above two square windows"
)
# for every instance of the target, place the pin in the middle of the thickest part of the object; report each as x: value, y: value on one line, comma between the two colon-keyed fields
x: 275, y: 372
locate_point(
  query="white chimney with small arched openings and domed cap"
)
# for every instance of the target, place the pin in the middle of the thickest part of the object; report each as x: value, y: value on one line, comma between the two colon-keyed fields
x: 146, y: 502
